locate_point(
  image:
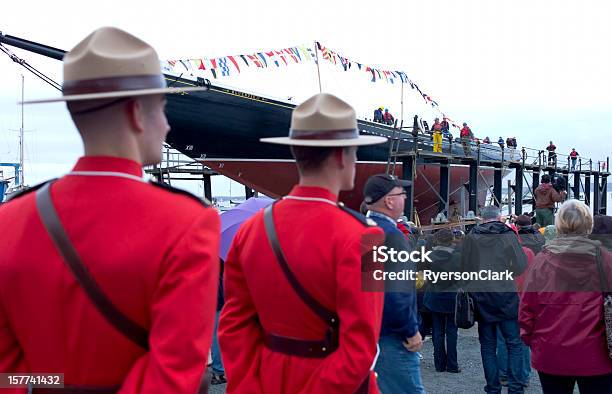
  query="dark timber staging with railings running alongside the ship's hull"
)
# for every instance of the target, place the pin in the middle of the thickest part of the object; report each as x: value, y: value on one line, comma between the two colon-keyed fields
x: 412, y: 147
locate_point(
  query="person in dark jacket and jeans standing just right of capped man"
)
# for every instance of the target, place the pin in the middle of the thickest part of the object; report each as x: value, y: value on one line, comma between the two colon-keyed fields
x: 440, y: 300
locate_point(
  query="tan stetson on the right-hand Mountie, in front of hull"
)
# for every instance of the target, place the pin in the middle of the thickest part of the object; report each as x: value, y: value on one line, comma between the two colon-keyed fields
x: 324, y: 120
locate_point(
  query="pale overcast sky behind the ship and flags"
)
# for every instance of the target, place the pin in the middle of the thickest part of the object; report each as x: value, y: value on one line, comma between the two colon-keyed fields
x: 537, y: 70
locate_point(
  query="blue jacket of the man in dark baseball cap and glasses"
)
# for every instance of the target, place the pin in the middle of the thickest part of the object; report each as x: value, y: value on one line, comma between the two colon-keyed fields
x: 400, y: 309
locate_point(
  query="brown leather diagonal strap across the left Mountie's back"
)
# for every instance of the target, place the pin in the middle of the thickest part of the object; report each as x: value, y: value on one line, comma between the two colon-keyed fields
x: 111, y: 313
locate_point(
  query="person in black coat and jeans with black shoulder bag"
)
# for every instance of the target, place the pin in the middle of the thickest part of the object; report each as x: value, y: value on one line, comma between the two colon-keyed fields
x: 493, y: 247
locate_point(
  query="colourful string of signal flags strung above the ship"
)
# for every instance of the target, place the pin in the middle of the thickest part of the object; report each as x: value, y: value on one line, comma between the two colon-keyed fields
x: 233, y: 64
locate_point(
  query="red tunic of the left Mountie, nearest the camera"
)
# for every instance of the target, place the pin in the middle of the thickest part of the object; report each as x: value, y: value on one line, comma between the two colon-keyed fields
x: 154, y: 253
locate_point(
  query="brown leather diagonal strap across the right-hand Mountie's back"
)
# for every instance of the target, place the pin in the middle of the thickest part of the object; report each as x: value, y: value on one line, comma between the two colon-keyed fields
x: 325, y: 314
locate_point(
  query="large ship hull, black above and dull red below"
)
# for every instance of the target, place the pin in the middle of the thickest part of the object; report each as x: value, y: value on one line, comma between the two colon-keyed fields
x: 222, y: 128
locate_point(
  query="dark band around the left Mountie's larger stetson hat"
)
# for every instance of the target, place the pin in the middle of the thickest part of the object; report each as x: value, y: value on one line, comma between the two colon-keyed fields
x: 113, y: 84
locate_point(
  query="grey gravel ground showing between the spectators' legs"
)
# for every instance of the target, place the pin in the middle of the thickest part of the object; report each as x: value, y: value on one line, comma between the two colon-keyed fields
x: 470, y: 380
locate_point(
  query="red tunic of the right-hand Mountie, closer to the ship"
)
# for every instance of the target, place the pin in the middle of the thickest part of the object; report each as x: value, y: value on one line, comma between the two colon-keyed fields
x: 322, y: 246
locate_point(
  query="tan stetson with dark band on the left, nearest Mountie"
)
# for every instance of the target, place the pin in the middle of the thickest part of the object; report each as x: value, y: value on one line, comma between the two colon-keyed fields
x: 111, y: 63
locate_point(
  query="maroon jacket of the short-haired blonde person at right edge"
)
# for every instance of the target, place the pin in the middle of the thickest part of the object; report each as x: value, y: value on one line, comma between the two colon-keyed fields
x: 561, y: 313
